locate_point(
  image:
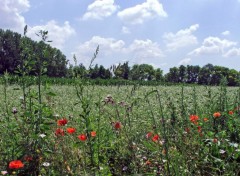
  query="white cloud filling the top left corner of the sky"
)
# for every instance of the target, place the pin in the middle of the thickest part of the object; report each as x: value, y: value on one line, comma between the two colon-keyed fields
x: 11, y: 14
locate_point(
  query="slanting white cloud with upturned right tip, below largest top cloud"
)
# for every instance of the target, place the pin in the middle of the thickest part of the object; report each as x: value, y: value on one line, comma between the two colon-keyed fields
x: 182, y: 38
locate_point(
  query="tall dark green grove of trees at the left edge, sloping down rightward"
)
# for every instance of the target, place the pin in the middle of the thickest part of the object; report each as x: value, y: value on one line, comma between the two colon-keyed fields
x: 14, y: 48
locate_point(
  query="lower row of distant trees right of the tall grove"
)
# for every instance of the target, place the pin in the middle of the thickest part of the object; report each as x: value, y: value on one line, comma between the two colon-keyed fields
x: 206, y: 75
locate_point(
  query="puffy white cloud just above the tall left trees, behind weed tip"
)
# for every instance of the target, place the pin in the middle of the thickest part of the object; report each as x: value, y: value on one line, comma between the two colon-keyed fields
x: 56, y: 33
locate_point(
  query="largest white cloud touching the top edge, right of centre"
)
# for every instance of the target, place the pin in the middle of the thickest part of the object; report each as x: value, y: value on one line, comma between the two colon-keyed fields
x: 142, y: 12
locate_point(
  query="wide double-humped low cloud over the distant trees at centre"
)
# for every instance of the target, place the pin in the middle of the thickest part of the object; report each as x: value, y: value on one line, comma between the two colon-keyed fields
x: 138, y: 51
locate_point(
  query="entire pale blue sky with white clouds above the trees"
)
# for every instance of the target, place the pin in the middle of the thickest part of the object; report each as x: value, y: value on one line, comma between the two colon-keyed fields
x: 162, y: 33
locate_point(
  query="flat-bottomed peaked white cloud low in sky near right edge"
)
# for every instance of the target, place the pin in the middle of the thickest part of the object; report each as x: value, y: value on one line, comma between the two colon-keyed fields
x: 213, y: 45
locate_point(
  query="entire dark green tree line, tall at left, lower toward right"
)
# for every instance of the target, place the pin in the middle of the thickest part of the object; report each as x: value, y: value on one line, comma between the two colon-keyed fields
x: 18, y: 52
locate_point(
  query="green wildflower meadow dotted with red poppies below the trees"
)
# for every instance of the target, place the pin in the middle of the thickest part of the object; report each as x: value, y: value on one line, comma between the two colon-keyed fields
x: 86, y: 129
